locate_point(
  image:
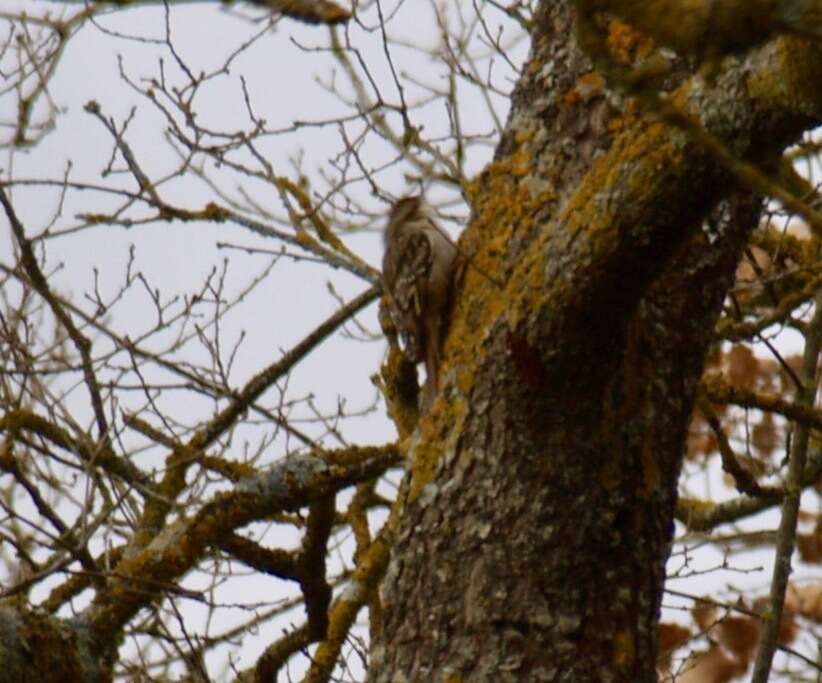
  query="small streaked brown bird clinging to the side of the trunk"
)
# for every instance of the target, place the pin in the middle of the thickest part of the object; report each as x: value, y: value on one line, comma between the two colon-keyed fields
x: 417, y: 272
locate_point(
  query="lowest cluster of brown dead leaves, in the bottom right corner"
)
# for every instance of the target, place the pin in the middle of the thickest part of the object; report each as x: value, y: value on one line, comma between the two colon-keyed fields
x: 732, y: 636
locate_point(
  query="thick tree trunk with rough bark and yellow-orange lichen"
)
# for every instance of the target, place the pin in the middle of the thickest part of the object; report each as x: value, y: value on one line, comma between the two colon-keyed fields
x: 543, y: 482
